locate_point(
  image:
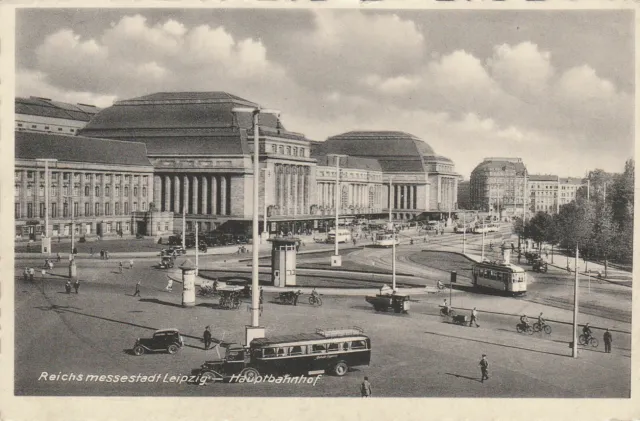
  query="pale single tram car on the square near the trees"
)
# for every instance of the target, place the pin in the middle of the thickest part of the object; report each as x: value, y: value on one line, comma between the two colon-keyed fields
x: 500, y: 277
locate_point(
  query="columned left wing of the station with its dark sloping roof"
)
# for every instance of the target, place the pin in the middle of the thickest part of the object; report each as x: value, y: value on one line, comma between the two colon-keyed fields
x: 102, y: 187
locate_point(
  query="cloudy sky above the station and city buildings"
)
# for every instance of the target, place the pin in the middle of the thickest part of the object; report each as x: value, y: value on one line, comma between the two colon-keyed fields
x: 555, y: 88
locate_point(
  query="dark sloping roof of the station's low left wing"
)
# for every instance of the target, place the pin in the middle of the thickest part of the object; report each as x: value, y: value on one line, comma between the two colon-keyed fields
x: 34, y: 145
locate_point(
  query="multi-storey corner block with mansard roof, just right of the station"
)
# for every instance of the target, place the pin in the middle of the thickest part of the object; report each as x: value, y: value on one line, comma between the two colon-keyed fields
x: 498, y: 185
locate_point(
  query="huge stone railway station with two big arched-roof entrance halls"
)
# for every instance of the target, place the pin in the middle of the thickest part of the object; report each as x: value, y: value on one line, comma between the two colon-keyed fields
x: 199, y: 162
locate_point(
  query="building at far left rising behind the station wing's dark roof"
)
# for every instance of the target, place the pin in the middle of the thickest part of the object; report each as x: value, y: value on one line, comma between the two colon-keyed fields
x: 45, y: 115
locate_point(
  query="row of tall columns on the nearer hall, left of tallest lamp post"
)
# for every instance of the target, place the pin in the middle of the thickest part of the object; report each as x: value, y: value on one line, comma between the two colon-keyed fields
x: 198, y: 194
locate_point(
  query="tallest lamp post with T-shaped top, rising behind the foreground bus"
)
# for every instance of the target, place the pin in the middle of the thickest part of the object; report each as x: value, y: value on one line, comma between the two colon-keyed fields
x: 255, y: 330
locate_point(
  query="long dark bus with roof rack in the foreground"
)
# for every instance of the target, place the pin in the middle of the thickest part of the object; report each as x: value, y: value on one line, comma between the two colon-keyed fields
x: 325, y: 351
